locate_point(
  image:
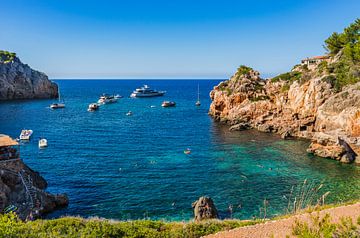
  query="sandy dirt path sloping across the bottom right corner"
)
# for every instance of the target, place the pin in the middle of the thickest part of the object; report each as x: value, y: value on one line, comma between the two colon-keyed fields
x: 283, y: 227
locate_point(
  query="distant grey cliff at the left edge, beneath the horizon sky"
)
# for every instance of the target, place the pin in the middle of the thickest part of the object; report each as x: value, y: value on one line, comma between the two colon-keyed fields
x: 19, y: 81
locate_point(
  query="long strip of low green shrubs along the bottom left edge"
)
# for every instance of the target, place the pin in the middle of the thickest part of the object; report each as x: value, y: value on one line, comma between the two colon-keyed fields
x: 11, y: 226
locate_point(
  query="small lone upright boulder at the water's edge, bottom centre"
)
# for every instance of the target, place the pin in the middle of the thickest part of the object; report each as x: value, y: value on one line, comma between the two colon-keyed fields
x: 204, y: 208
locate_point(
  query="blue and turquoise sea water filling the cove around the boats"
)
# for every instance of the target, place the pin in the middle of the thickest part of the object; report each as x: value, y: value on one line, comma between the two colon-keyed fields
x: 121, y: 167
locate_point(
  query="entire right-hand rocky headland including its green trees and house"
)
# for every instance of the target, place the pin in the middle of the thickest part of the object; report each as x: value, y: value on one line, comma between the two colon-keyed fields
x: 318, y: 99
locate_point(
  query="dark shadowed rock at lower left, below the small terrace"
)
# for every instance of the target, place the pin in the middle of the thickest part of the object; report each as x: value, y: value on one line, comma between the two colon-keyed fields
x: 23, y: 188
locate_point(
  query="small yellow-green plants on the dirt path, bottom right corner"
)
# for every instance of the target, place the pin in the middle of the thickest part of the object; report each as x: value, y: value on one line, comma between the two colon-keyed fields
x: 323, y: 228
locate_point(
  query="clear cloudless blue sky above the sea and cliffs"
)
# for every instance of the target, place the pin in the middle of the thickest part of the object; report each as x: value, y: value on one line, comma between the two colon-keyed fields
x: 168, y: 39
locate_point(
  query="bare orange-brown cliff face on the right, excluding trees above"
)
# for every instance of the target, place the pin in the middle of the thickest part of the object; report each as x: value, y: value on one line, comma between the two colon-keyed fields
x: 306, y: 106
